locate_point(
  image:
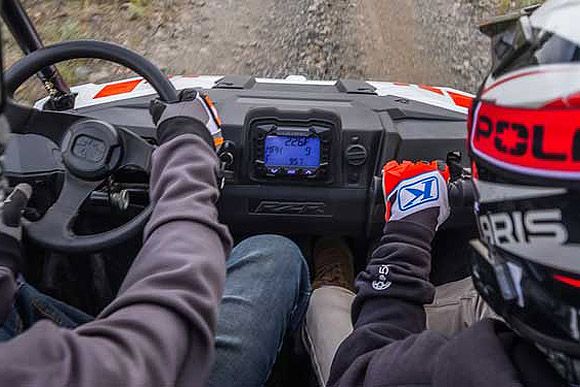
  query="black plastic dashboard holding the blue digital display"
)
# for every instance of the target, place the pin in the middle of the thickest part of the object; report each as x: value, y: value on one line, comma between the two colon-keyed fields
x: 299, y: 158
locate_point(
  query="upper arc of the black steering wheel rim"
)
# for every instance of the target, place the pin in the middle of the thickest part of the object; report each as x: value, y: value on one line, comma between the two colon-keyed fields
x: 88, y: 49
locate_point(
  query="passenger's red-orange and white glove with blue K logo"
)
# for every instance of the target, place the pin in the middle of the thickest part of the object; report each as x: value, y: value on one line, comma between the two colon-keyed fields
x: 410, y: 188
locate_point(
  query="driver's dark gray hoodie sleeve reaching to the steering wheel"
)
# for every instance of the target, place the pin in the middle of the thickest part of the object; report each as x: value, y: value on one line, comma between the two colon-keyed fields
x: 159, y: 331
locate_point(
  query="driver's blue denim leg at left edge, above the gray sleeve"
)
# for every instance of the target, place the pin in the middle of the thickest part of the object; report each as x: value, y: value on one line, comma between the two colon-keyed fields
x: 31, y: 306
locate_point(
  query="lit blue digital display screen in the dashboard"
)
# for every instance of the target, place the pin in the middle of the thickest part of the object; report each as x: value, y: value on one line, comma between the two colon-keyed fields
x: 292, y: 151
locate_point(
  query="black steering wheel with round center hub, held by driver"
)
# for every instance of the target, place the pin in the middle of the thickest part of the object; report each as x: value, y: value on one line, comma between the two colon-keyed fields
x: 91, y: 149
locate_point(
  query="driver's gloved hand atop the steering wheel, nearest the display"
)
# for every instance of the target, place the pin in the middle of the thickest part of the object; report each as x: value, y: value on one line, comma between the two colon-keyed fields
x: 174, y: 119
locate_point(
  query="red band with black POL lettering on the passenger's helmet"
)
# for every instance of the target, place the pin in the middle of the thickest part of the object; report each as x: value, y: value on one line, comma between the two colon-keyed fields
x: 544, y: 142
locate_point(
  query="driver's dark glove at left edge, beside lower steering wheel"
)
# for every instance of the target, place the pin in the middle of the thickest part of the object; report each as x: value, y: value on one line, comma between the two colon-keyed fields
x: 10, y: 227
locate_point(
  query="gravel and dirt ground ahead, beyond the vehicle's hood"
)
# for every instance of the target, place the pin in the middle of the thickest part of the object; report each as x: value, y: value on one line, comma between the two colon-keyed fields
x: 422, y: 41
